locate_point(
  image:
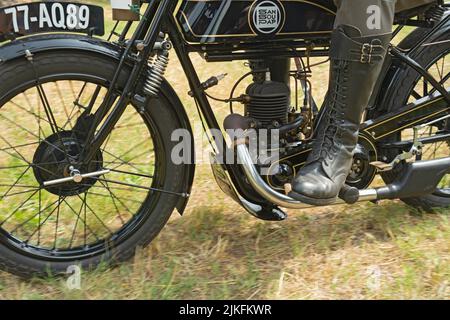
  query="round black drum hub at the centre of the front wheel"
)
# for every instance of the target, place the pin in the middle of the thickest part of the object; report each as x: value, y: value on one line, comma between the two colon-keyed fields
x: 58, y: 156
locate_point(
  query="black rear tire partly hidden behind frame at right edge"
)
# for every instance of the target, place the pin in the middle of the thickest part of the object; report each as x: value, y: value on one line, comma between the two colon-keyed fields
x: 407, y: 79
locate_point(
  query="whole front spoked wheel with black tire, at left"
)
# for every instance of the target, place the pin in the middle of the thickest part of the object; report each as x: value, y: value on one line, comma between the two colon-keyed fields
x: 56, y: 209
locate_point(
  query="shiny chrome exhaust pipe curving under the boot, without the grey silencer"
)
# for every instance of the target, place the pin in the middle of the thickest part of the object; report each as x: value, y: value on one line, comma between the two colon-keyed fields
x: 279, y: 199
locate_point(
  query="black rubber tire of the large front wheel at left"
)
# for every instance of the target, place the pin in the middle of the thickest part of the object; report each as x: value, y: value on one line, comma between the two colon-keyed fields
x: 153, y: 214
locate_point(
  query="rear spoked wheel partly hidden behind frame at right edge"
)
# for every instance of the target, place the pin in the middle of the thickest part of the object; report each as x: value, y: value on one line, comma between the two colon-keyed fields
x: 436, y: 59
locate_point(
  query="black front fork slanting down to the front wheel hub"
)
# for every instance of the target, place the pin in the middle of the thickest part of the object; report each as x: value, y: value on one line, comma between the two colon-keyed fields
x: 147, y: 31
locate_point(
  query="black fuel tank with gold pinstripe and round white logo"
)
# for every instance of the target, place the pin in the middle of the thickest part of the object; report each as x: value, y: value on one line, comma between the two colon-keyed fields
x: 237, y: 21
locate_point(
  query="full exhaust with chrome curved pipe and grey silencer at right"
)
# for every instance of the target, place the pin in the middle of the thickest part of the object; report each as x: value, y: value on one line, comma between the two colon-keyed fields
x: 419, y: 178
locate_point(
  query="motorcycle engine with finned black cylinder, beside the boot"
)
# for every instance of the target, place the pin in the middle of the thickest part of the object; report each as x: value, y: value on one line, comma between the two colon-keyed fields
x: 267, y: 105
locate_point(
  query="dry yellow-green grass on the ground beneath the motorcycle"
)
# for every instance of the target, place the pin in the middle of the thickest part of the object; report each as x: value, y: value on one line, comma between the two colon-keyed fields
x: 217, y: 251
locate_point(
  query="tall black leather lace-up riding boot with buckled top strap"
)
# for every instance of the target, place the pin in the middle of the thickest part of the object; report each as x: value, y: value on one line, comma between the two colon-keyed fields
x: 356, y: 63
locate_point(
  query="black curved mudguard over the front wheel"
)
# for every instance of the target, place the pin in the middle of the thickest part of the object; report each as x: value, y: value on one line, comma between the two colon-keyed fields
x: 43, y: 43
